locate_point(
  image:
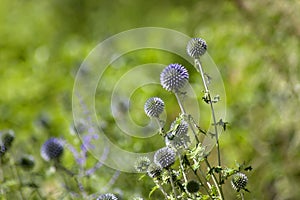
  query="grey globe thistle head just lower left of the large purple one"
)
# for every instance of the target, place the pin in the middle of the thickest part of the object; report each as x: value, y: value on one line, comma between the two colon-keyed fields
x: 154, y: 106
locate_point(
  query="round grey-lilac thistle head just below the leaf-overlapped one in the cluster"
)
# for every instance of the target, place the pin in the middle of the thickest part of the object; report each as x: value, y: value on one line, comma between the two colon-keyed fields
x: 165, y: 157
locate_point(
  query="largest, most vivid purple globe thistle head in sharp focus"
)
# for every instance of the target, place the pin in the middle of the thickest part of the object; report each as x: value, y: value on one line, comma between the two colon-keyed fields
x: 174, y: 77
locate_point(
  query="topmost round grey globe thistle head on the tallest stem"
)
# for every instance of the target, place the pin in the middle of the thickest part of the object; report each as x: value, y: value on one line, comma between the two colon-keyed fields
x: 196, y: 47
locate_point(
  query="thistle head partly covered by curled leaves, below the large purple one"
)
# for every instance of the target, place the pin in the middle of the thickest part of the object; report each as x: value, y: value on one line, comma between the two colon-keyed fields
x: 178, y: 137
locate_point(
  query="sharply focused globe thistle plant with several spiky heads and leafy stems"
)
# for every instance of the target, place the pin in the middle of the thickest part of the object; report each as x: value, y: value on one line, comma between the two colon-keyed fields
x: 181, y: 169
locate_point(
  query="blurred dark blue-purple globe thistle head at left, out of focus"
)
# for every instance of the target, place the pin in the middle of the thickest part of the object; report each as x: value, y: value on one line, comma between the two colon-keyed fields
x: 52, y: 149
